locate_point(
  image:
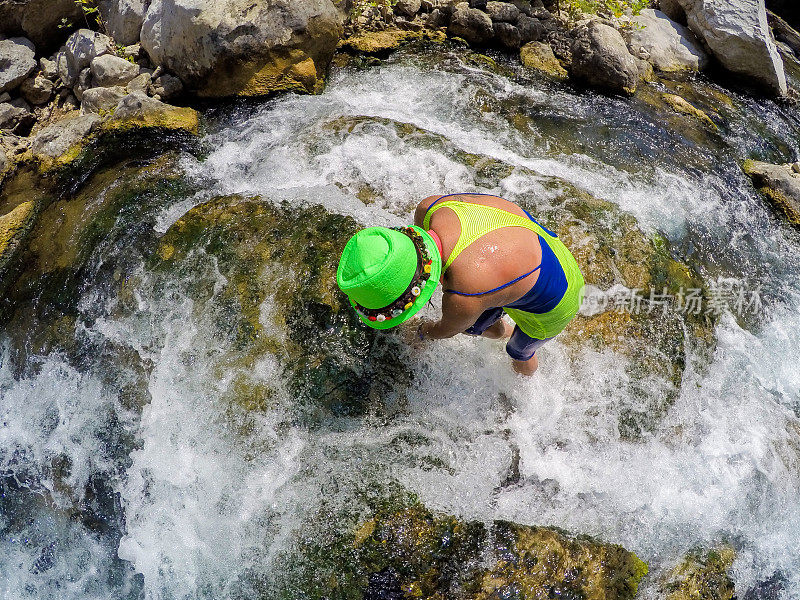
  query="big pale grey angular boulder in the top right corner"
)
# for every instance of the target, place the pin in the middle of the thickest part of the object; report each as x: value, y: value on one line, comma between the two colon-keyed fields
x: 738, y: 35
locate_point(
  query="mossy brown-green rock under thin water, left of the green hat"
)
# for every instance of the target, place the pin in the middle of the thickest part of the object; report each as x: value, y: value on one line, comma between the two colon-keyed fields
x: 285, y: 258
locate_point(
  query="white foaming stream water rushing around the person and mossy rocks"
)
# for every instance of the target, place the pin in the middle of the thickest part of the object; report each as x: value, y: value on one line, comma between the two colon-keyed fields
x: 170, y: 490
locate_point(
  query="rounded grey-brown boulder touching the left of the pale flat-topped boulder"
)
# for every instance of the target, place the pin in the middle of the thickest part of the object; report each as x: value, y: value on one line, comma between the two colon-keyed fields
x: 601, y: 59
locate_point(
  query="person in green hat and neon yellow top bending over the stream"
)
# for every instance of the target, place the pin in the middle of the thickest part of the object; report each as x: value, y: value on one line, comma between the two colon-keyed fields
x: 491, y: 256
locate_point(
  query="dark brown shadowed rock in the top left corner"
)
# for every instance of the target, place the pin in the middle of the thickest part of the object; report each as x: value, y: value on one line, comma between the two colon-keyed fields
x: 38, y: 20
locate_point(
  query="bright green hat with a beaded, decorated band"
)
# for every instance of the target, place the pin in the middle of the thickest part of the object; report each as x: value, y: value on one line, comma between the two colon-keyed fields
x: 389, y: 274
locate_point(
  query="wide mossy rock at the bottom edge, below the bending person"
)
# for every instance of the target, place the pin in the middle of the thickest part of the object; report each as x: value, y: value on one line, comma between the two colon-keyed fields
x: 414, y: 553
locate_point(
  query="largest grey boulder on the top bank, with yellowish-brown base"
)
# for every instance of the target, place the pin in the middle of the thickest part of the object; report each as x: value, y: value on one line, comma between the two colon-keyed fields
x: 224, y: 48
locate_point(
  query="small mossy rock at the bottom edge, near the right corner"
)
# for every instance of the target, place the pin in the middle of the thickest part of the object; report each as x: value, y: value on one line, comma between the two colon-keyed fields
x: 702, y: 575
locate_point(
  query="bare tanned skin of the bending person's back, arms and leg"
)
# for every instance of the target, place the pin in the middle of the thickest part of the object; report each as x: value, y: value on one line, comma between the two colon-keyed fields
x: 491, y: 261
